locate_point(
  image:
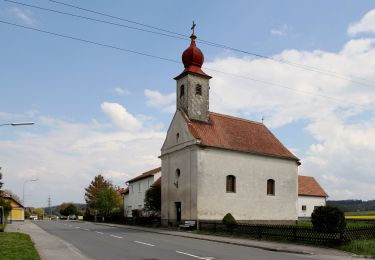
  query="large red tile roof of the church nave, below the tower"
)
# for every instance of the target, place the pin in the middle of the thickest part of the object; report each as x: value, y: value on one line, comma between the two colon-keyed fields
x: 238, y: 134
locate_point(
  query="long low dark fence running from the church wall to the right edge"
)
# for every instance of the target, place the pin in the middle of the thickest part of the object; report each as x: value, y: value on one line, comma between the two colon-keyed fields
x: 291, y: 232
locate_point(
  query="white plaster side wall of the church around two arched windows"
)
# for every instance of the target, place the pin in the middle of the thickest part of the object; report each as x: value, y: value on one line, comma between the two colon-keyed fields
x: 250, y: 202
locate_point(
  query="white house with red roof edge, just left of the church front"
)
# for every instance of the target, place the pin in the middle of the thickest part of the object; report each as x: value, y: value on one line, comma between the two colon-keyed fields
x: 134, y: 196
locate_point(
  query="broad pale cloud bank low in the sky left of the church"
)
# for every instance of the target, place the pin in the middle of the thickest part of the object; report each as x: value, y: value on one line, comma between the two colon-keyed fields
x: 67, y: 156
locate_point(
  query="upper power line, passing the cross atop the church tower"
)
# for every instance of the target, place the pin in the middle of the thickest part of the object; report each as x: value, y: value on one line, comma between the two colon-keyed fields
x: 294, y: 64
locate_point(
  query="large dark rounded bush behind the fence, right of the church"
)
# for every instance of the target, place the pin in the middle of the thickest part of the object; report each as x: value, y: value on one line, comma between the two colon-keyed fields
x: 328, y: 219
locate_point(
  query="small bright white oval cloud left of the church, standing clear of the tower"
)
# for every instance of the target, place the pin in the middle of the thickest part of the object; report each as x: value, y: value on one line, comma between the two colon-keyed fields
x: 121, y: 117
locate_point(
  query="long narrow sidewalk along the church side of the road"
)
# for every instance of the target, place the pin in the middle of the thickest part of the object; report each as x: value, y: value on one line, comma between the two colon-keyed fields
x: 317, y: 252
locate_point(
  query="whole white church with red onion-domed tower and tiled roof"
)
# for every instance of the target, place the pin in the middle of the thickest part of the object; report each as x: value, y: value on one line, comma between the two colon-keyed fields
x: 214, y: 164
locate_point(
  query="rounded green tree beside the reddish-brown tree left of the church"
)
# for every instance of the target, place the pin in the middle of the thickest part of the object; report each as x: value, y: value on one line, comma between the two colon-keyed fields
x: 108, y: 201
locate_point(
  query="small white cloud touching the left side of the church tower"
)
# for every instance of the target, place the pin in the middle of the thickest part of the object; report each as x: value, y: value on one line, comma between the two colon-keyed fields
x: 164, y: 102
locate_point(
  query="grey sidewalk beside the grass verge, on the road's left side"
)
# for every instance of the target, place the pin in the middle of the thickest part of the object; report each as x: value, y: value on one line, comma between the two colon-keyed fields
x: 47, y: 245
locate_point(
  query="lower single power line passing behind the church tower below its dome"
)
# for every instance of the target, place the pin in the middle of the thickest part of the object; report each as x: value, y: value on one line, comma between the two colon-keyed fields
x: 174, y: 61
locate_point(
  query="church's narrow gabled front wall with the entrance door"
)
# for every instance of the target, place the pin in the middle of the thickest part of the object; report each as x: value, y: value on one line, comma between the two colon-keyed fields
x: 179, y: 154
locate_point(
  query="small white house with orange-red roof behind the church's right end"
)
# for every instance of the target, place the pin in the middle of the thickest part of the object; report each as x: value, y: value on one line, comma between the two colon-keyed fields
x: 310, y: 196
